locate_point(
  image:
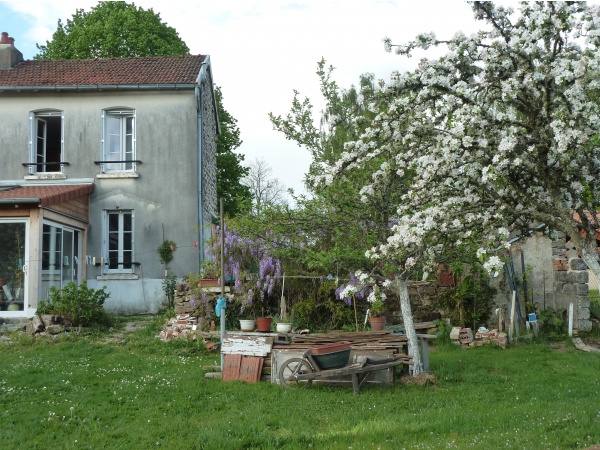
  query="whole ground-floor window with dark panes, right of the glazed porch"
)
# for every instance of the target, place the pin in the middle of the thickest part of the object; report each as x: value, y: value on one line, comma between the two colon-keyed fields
x: 118, y: 255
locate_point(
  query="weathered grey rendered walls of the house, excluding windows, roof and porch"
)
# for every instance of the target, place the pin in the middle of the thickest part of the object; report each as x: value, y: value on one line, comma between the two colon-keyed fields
x: 163, y: 192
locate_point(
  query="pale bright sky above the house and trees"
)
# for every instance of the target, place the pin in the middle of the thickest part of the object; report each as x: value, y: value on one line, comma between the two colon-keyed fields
x: 261, y: 51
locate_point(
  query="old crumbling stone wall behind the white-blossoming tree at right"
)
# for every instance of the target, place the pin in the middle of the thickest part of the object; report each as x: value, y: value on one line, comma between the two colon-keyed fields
x: 547, y: 266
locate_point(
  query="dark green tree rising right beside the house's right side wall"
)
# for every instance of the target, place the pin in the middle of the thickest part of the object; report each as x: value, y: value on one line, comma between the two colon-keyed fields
x: 230, y: 171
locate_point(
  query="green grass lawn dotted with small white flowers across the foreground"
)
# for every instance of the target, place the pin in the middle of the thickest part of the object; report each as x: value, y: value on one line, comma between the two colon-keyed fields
x: 139, y: 392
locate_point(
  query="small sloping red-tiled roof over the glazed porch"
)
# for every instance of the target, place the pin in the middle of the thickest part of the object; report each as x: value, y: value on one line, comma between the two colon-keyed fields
x: 43, y: 195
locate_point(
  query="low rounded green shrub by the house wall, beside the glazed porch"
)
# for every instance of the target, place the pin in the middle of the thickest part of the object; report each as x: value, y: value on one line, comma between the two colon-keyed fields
x: 79, y: 305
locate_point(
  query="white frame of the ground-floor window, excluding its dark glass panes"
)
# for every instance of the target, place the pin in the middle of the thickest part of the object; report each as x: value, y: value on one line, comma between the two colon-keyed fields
x: 121, y: 239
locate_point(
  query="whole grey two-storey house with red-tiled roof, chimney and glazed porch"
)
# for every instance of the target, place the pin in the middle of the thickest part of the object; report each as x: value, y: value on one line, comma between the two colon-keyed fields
x: 102, y: 160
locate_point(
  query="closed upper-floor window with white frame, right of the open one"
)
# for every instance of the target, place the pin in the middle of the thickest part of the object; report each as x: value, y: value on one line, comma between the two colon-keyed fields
x: 118, y: 141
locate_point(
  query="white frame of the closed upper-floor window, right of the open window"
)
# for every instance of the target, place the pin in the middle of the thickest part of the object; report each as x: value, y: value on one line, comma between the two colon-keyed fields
x: 122, y: 114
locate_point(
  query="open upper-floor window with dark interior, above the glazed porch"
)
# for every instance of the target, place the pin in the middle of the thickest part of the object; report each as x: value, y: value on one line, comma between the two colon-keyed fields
x: 46, y: 143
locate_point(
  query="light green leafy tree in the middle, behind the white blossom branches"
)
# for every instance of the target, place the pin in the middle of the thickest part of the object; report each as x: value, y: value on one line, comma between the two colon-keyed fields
x: 335, y: 225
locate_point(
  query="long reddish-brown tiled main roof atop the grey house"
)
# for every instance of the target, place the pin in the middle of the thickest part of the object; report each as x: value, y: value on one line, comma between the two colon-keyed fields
x: 157, y: 70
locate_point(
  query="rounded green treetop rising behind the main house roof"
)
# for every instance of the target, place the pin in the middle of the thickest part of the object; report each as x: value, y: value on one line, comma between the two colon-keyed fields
x: 112, y: 30
